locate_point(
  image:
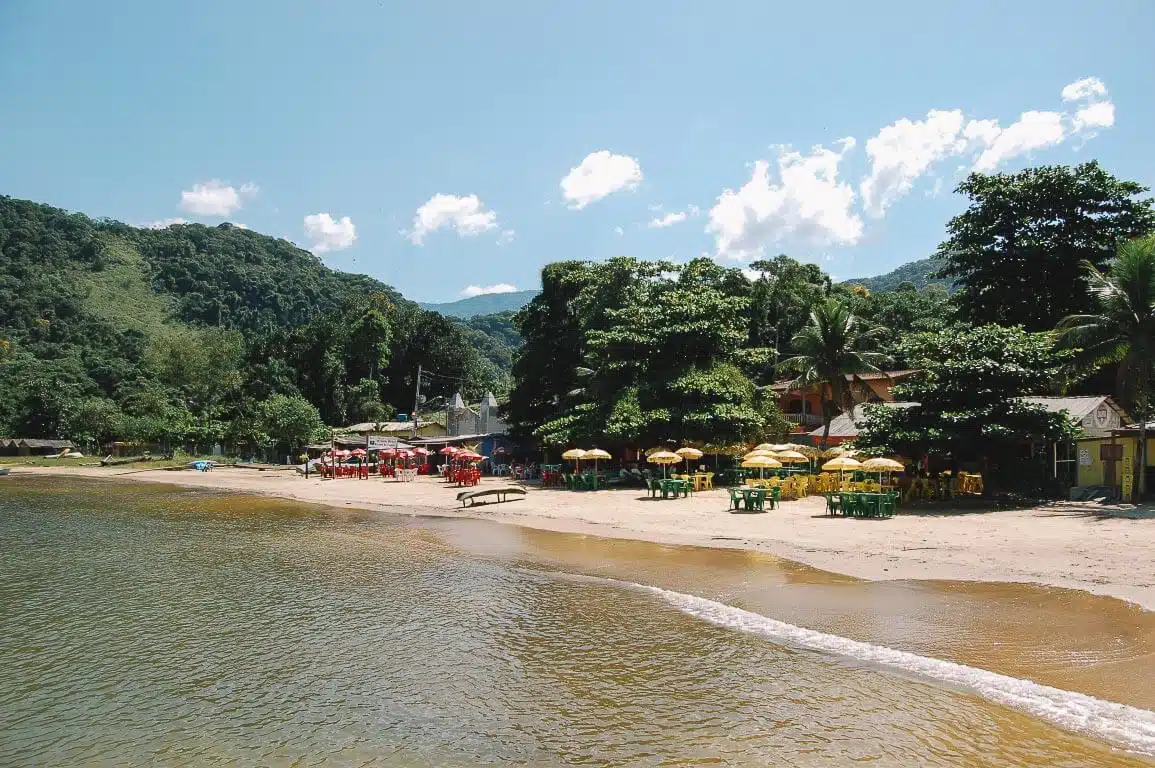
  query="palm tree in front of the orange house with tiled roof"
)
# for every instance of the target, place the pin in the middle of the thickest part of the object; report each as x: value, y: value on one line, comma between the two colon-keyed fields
x: 832, y: 345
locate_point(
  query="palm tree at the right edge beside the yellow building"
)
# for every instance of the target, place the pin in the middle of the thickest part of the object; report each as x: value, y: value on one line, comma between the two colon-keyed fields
x: 1123, y: 332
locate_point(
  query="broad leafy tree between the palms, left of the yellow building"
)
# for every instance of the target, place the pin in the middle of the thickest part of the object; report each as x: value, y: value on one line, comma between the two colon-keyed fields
x: 968, y: 393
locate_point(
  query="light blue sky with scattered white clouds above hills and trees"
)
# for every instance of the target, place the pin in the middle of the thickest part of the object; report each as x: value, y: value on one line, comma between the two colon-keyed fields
x: 458, y: 147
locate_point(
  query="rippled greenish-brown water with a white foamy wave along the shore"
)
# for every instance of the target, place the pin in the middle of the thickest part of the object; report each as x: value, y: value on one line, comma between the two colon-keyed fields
x: 143, y: 625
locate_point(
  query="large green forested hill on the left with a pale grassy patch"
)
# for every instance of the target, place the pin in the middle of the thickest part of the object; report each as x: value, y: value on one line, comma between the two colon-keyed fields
x: 105, y: 325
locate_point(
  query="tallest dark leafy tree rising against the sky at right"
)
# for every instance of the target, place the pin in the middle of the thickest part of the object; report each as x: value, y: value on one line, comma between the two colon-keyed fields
x: 1017, y: 250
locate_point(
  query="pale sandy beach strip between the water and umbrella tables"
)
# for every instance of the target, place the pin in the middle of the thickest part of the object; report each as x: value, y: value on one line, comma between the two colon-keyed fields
x: 1102, y: 550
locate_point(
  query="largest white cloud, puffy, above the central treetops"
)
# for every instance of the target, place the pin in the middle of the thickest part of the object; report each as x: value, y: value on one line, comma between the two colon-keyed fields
x: 809, y: 205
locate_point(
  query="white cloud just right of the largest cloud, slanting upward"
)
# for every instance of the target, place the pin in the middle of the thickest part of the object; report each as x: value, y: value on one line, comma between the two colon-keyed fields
x: 904, y: 151
